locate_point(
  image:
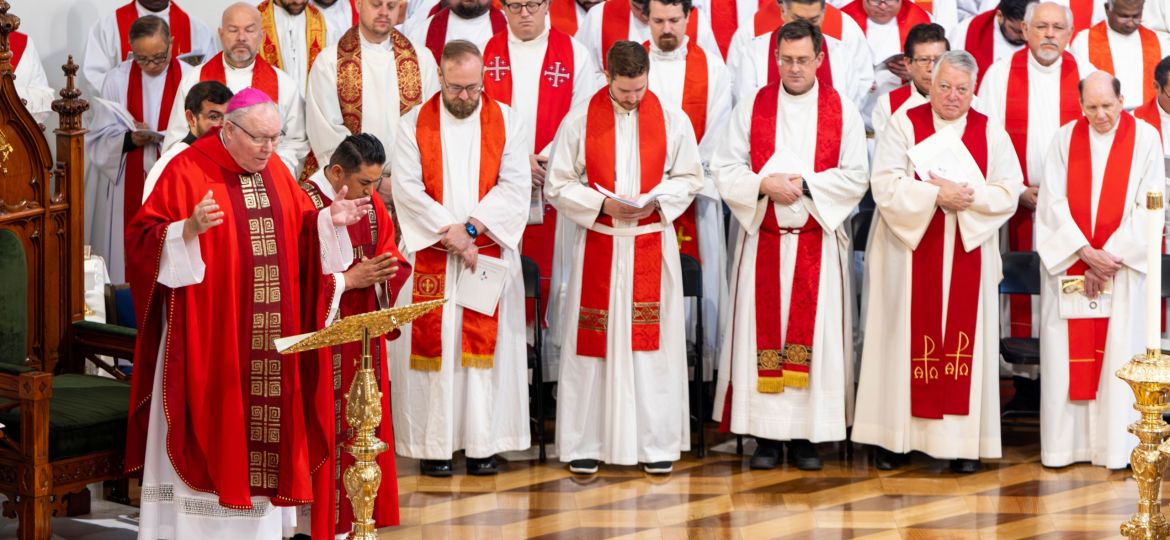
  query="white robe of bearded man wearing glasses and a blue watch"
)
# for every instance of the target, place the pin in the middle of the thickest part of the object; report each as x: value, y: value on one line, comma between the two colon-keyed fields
x: 484, y: 412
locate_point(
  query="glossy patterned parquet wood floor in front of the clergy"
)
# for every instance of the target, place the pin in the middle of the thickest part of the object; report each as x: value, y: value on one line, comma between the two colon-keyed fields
x: 720, y: 497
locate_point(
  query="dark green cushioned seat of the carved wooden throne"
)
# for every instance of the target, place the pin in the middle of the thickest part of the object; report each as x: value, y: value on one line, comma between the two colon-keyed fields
x: 87, y: 414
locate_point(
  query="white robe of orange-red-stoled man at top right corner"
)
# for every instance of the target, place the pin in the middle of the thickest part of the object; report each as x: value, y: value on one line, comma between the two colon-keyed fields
x: 1128, y: 63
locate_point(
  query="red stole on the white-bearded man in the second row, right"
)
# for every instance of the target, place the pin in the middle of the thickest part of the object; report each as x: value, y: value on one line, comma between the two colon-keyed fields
x: 1016, y: 121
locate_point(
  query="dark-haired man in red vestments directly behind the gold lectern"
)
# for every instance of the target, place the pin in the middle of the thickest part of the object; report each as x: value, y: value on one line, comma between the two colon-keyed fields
x: 375, y: 282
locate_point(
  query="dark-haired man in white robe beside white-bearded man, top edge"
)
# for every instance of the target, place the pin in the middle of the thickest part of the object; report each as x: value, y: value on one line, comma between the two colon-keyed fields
x: 994, y: 34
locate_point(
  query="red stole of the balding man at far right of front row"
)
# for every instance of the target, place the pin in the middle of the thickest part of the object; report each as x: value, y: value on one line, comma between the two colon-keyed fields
x: 1088, y: 337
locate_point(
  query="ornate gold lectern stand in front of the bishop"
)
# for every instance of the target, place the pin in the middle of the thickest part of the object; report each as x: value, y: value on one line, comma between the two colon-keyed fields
x: 363, y: 403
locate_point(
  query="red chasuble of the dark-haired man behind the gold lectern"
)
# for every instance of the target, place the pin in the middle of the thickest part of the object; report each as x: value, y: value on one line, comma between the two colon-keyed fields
x: 332, y: 511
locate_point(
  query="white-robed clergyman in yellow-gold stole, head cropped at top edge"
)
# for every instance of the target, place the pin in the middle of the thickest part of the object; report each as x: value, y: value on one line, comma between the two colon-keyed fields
x: 295, y: 33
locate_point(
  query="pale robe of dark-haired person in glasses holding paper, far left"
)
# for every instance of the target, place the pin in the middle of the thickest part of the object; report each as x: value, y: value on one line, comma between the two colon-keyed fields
x: 106, y: 185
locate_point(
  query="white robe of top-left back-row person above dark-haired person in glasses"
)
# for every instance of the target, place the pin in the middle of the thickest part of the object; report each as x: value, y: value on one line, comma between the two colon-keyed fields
x: 104, y: 50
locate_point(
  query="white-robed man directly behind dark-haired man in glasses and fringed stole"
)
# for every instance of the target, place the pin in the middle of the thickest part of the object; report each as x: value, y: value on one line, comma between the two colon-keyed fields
x: 848, y: 66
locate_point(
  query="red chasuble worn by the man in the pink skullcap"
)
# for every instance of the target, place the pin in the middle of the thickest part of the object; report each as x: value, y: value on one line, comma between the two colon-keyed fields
x: 243, y: 420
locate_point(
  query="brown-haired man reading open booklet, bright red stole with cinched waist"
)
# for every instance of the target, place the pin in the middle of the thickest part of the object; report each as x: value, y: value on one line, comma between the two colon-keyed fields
x: 622, y: 397
